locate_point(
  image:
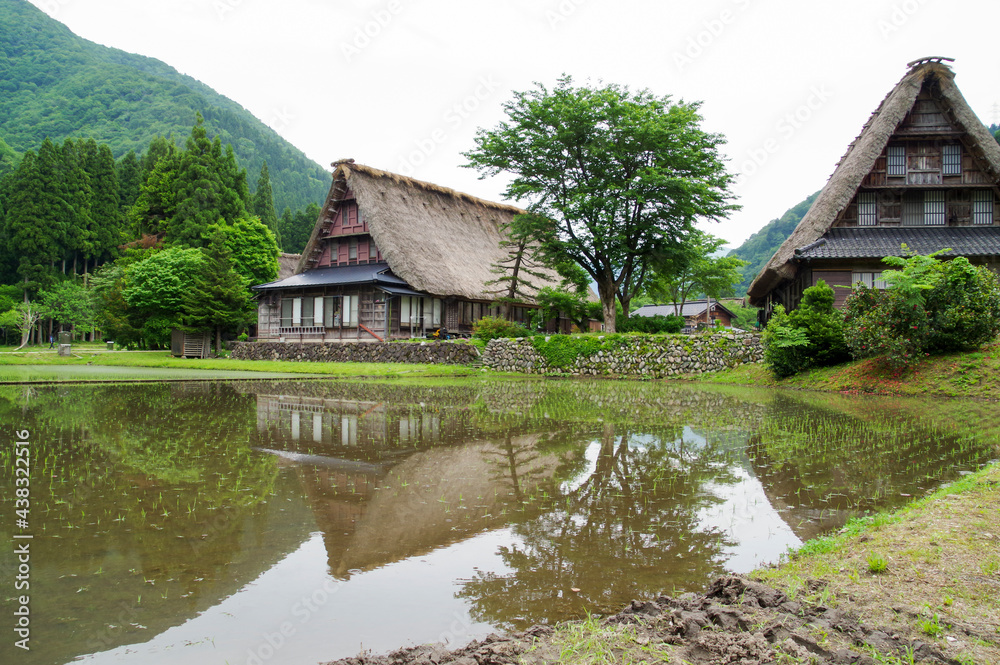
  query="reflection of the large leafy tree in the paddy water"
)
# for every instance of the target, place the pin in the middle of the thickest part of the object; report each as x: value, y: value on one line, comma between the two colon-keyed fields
x: 630, y: 529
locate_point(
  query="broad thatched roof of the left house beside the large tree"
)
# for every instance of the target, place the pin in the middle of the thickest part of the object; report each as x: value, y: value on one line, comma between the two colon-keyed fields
x: 440, y: 241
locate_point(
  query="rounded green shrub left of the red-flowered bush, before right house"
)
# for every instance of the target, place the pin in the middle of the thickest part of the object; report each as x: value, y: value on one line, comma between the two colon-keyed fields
x: 810, y: 336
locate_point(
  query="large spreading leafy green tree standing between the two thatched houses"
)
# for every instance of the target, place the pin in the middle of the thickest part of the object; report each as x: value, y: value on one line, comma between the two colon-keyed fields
x: 610, y: 175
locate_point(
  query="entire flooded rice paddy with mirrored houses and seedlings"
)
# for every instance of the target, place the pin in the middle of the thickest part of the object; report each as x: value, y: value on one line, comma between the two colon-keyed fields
x: 295, y: 522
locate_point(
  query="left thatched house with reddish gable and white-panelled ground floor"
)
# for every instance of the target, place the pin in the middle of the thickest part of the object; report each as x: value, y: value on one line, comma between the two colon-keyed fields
x: 390, y: 257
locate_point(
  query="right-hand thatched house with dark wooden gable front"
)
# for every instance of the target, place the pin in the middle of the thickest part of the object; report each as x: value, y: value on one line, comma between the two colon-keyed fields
x: 924, y: 171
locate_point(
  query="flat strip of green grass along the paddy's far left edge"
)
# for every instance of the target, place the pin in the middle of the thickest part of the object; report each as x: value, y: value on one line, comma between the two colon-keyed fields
x: 128, y: 365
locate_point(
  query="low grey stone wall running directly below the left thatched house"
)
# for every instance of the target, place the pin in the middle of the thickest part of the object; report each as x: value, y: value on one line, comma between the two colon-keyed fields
x: 361, y: 352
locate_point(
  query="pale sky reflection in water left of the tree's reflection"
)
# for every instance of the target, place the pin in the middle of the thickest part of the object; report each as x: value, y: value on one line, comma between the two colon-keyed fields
x: 401, y: 604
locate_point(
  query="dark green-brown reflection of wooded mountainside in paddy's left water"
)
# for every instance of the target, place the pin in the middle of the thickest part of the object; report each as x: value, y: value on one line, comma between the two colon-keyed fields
x: 147, y: 495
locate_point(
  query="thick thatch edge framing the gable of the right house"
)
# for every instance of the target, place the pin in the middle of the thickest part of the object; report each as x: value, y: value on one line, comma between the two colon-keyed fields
x: 860, y: 159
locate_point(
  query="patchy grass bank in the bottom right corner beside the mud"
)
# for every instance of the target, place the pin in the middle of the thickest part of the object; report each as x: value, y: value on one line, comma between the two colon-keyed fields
x: 929, y: 572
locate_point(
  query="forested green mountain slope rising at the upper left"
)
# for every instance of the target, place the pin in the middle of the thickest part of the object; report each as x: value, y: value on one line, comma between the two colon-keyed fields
x: 58, y: 85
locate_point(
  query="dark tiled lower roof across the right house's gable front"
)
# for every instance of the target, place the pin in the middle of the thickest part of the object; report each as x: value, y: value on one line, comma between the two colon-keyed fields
x: 874, y: 243
